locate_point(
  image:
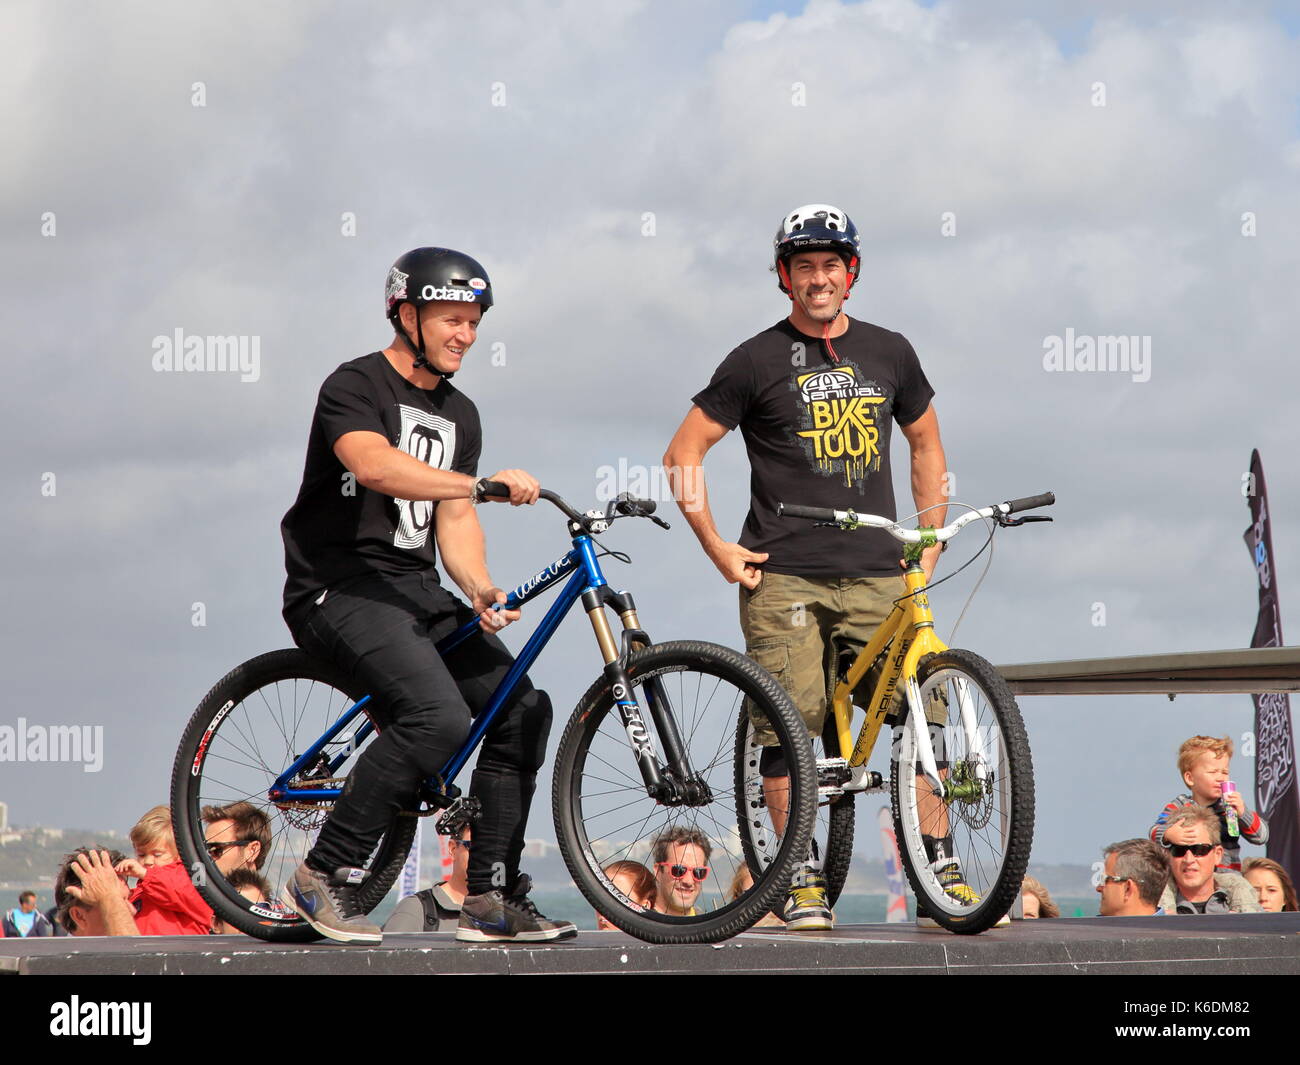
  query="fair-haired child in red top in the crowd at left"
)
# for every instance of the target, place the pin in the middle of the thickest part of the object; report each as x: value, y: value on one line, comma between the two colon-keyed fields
x: 166, y: 898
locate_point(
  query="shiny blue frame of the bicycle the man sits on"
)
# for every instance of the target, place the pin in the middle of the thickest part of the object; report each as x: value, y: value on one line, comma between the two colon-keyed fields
x: 586, y: 579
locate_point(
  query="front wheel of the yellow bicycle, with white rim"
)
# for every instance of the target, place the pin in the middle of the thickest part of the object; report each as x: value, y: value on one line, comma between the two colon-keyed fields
x: 983, y: 815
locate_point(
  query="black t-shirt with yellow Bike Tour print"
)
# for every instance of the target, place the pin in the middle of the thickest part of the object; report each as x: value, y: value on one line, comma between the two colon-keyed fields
x: 818, y: 435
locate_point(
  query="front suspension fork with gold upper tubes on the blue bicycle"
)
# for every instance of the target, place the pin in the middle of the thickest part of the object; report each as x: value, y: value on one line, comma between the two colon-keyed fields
x: 675, y: 782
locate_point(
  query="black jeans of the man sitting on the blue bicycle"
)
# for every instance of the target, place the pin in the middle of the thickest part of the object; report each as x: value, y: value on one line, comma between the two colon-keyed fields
x: 383, y: 633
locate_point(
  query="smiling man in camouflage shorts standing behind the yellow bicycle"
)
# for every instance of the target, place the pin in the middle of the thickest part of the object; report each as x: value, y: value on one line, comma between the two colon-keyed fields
x: 816, y: 397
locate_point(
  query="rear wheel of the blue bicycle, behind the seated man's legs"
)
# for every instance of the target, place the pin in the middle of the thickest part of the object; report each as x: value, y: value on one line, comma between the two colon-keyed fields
x: 245, y: 734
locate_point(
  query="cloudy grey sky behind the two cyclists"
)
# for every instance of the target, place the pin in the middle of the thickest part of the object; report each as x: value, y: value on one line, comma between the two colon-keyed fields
x: 250, y: 170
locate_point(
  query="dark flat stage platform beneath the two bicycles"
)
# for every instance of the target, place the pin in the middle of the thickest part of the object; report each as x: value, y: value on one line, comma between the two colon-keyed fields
x: 1264, y: 945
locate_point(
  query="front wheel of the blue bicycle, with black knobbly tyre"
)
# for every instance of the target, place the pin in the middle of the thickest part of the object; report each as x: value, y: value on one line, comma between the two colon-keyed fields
x: 613, y: 833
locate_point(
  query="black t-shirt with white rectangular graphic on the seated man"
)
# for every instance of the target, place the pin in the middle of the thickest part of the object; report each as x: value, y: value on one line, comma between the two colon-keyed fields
x: 340, y: 530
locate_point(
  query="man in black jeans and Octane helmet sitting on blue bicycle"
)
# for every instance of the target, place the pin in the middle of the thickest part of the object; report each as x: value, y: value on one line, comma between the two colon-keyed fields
x: 391, y: 478
